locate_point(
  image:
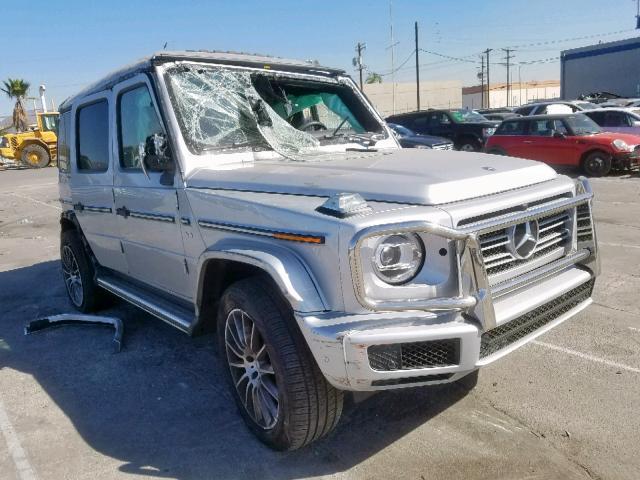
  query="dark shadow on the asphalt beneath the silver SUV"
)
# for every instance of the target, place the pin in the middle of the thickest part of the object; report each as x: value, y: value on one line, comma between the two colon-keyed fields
x: 160, y: 406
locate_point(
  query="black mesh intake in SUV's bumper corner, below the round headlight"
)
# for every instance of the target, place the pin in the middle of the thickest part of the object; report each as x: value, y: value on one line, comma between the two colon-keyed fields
x: 407, y: 356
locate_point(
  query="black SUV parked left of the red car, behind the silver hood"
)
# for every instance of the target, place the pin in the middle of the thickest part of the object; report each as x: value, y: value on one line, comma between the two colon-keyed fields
x: 467, y: 129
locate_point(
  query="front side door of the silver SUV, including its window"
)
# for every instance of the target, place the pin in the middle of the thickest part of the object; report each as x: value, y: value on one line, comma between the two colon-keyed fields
x: 146, y: 202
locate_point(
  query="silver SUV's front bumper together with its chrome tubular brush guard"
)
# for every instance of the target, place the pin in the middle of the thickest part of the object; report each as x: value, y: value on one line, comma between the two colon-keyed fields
x: 443, y: 339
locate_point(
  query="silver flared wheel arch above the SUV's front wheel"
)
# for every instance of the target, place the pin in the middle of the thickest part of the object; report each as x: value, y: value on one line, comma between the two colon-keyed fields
x: 230, y: 261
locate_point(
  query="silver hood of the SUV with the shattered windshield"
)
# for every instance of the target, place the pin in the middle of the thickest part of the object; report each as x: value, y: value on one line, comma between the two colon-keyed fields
x: 423, y: 177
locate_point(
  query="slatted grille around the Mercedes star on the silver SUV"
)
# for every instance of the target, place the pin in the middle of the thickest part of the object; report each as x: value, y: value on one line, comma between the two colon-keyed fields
x: 554, y: 235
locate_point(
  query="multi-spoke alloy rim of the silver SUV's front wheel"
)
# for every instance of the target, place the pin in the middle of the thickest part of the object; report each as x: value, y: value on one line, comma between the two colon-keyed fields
x: 251, y: 369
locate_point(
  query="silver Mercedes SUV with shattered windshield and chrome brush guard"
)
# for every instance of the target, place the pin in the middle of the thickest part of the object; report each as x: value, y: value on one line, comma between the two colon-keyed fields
x: 266, y: 200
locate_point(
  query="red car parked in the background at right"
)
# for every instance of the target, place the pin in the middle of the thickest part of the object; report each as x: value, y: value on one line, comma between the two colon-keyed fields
x: 565, y: 139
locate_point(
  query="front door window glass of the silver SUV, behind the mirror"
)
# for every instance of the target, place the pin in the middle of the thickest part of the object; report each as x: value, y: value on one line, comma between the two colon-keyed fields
x: 137, y: 122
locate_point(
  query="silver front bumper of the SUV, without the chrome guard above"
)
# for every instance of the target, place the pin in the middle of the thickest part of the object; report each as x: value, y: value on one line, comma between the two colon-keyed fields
x: 451, y: 344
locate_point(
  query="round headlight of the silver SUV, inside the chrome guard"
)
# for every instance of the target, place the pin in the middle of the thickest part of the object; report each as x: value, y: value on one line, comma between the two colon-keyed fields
x: 398, y: 258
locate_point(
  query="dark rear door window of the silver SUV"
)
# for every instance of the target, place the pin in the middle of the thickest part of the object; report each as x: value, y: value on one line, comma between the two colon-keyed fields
x: 92, y: 136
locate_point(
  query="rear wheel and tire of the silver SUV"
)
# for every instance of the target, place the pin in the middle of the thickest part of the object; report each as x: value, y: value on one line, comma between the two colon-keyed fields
x: 78, y: 273
